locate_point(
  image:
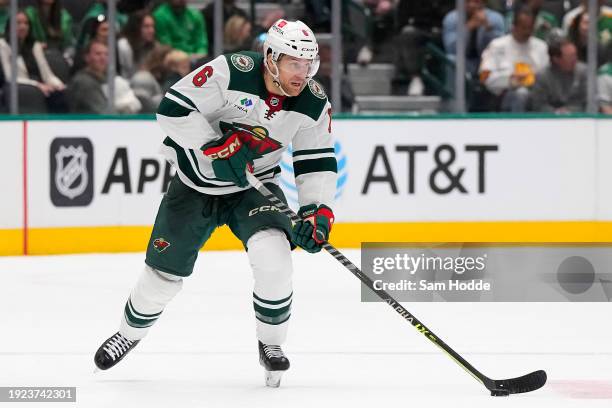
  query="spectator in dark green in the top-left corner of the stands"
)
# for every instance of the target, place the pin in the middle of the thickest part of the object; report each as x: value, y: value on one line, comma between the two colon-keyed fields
x: 51, y: 24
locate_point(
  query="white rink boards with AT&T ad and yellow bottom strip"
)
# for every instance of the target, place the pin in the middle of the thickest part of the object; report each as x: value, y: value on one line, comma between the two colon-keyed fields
x: 94, y: 185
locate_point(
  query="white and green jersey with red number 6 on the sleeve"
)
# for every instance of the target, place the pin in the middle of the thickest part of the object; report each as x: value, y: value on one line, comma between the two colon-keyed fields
x: 230, y: 91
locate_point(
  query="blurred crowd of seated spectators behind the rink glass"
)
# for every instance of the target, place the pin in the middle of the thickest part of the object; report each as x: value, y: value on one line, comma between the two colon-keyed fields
x: 521, y: 55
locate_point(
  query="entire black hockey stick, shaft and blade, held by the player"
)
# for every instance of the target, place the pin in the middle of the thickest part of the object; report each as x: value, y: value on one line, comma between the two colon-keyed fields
x: 526, y: 383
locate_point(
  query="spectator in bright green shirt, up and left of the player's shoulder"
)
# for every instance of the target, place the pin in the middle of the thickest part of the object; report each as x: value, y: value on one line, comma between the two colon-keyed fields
x: 181, y: 27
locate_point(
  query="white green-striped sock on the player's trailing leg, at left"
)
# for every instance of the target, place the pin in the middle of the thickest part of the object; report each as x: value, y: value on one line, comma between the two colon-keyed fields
x: 148, y: 299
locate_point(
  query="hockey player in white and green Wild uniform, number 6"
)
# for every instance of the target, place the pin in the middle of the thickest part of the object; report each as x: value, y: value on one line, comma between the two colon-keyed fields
x: 240, y: 111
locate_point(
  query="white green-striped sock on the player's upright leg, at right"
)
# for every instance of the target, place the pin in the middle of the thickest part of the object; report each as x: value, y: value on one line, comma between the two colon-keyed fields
x: 270, y: 257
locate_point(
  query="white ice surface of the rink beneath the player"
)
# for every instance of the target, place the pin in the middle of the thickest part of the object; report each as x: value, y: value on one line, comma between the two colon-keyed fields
x: 56, y: 310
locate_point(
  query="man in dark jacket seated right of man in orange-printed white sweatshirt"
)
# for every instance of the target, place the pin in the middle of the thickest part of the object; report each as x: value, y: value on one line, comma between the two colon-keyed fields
x: 561, y: 87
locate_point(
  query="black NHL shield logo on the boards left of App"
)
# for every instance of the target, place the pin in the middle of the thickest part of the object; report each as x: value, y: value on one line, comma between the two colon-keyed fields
x: 71, y: 172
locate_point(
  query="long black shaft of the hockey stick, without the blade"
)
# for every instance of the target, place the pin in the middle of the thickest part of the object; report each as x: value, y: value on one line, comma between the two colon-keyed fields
x: 259, y: 186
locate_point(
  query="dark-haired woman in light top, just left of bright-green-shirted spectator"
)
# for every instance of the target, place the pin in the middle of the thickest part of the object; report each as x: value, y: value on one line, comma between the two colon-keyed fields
x: 137, y: 42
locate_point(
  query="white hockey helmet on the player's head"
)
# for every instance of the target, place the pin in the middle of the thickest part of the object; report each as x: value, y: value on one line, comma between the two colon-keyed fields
x: 292, y: 38
